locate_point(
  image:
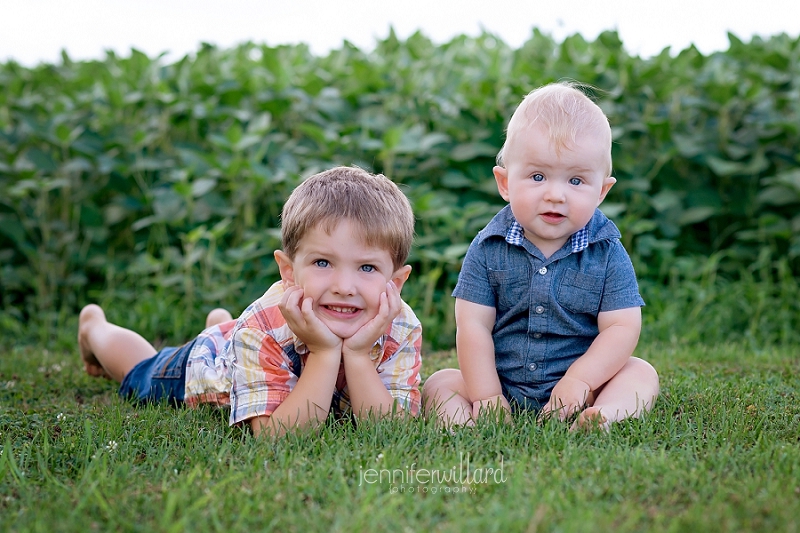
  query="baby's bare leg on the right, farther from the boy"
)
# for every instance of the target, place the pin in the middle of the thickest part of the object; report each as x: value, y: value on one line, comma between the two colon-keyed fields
x: 631, y: 392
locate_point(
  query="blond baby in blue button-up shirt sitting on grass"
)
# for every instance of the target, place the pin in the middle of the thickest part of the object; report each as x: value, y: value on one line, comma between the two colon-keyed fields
x: 547, y: 304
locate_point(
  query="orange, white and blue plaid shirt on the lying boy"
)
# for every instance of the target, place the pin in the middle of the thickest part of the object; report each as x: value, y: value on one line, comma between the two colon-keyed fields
x: 253, y: 363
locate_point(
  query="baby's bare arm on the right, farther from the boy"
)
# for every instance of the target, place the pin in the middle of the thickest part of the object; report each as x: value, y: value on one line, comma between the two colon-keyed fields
x: 612, y: 348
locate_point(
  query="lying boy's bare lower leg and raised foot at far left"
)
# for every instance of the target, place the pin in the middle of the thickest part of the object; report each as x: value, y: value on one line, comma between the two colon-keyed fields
x: 106, y: 349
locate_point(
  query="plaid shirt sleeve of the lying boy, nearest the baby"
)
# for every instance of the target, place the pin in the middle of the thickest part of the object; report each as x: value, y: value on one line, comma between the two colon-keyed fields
x: 401, y: 362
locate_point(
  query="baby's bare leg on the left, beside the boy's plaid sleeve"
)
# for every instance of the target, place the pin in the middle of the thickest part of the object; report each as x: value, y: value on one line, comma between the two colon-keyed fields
x: 445, y: 393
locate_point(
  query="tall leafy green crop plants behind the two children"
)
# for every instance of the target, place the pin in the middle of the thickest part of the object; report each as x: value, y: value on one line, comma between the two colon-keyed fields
x: 127, y: 179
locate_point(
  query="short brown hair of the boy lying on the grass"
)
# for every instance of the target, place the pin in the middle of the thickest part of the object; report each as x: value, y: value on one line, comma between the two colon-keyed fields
x: 372, y: 201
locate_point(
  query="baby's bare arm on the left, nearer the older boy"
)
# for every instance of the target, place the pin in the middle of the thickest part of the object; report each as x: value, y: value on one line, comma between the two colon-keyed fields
x: 475, y: 349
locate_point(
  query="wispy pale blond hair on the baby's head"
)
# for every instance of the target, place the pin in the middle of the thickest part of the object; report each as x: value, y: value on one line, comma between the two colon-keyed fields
x: 564, y: 111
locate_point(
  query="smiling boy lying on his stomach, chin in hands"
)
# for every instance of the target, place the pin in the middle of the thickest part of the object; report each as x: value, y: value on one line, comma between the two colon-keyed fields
x: 332, y: 334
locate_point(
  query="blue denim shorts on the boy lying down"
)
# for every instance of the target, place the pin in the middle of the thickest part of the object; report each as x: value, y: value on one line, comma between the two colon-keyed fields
x: 162, y: 377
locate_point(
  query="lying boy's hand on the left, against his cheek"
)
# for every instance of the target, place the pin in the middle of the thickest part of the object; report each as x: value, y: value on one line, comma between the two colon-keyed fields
x: 300, y: 317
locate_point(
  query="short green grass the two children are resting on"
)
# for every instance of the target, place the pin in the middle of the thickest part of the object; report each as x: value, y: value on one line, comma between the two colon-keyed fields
x: 720, y: 452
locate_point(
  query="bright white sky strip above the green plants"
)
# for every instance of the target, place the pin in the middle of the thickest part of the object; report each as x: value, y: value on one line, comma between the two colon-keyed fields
x: 33, y: 31
